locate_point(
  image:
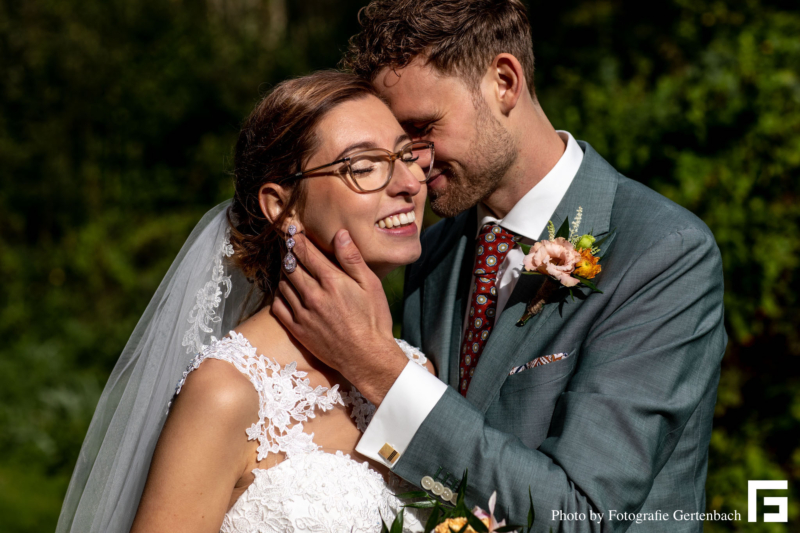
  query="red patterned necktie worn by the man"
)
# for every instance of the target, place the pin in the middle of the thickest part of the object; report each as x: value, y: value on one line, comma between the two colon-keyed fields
x: 494, y: 243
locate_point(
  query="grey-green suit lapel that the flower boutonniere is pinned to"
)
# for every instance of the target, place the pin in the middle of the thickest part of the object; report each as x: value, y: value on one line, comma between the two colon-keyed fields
x: 593, y: 188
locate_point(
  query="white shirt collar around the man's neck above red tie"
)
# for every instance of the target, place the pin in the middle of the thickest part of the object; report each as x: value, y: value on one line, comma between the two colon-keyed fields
x: 532, y: 212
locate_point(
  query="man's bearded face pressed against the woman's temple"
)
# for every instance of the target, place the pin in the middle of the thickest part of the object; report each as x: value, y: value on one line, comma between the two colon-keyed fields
x: 473, y: 151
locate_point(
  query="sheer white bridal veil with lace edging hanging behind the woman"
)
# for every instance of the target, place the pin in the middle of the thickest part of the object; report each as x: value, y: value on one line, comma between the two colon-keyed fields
x: 199, y: 297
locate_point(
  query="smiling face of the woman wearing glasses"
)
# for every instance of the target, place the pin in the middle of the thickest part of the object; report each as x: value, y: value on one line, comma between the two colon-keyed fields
x: 331, y: 204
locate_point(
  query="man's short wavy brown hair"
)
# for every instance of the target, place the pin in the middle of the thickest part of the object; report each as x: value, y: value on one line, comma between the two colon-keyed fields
x: 457, y: 37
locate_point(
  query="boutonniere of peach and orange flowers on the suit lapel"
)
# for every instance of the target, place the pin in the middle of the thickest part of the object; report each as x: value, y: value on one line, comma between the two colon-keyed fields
x: 568, y: 259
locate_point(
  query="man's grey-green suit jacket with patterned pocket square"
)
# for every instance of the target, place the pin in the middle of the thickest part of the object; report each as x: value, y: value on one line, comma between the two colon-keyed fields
x: 623, y: 423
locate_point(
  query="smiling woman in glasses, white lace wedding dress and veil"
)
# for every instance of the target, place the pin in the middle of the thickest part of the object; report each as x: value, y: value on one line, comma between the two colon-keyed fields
x: 260, y: 435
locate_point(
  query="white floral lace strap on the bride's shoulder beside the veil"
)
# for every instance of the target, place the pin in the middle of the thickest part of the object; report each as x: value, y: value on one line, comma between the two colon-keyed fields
x: 286, y: 399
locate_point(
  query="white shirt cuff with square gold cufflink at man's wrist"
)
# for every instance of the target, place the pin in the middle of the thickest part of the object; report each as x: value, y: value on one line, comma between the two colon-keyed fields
x: 412, y: 397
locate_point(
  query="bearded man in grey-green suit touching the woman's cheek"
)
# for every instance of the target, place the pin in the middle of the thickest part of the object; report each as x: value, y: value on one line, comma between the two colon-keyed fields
x: 601, y: 405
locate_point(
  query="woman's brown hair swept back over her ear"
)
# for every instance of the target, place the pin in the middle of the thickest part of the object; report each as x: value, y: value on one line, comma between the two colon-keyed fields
x: 276, y: 140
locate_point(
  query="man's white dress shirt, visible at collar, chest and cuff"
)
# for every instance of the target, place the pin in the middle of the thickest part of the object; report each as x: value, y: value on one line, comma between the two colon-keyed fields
x: 415, y: 392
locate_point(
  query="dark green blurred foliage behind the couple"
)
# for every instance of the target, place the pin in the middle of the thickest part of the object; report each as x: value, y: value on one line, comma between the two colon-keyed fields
x: 117, y: 120
